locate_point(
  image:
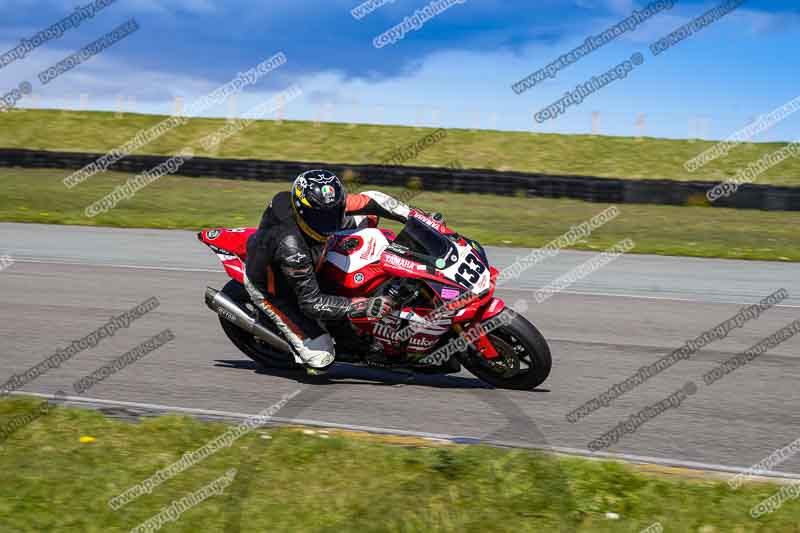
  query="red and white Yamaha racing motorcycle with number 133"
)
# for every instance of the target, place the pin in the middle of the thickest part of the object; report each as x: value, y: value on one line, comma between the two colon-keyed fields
x: 446, y: 314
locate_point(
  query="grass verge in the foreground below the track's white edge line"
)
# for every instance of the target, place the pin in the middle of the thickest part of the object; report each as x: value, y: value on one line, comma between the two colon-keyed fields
x: 288, y: 480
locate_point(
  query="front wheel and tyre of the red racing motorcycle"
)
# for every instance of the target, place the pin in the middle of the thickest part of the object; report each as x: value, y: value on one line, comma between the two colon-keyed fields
x: 523, y: 361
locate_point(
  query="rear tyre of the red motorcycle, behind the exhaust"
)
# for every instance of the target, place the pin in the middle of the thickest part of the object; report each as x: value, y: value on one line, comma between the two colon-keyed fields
x: 260, y: 352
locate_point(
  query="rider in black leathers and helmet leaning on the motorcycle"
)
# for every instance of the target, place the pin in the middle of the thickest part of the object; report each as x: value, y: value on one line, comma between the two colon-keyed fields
x: 285, y: 253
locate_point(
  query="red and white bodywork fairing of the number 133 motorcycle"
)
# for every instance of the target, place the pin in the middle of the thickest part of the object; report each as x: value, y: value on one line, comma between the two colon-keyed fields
x: 360, y: 260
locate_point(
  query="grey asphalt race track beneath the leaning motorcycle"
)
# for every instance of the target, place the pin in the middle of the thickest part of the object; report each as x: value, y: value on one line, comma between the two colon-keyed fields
x: 67, y: 281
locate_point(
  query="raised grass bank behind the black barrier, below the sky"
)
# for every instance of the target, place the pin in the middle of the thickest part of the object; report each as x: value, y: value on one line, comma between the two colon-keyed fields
x: 590, y: 155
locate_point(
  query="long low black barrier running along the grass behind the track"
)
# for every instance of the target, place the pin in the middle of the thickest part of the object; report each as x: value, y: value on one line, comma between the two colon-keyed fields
x: 607, y: 190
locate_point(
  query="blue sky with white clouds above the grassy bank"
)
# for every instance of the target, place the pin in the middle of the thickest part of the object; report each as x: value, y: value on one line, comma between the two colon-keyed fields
x: 455, y: 71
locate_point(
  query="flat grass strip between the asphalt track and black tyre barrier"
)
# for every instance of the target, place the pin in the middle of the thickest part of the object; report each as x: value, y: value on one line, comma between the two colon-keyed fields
x: 33, y: 195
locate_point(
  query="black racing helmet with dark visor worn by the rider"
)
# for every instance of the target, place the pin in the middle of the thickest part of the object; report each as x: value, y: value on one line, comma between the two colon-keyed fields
x: 318, y: 202
